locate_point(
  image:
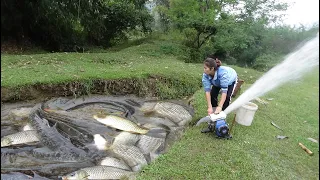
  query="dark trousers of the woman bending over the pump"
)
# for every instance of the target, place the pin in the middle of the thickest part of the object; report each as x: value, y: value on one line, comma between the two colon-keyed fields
x: 215, y: 92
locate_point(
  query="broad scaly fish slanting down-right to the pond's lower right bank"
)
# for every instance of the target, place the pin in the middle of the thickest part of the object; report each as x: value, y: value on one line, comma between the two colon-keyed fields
x: 131, y: 155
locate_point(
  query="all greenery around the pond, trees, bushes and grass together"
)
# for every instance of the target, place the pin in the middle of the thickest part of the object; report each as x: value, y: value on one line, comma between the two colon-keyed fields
x: 168, y: 48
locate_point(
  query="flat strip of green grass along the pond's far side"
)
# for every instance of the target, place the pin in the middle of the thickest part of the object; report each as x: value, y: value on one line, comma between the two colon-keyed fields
x: 137, y: 61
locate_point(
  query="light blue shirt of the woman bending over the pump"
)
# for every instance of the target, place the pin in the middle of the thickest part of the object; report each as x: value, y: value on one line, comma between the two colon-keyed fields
x: 223, y: 77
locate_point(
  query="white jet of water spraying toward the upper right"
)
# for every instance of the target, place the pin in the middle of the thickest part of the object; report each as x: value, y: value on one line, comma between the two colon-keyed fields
x: 293, y: 67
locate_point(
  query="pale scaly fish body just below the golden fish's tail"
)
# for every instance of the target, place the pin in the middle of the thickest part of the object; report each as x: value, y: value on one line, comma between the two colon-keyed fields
x: 148, y: 144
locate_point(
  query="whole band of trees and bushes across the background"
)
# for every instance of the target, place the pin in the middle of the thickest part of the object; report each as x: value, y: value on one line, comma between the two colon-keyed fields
x: 244, y: 32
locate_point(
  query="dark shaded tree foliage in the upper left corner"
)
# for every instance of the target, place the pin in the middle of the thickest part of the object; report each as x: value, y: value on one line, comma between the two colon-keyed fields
x: 64, y: 25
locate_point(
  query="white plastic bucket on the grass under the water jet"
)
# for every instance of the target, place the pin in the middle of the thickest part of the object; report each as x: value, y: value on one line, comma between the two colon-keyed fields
x: 245, y: 113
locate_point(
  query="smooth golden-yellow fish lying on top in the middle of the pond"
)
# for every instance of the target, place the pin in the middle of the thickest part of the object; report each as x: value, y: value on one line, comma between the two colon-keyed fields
x: 120, y: 123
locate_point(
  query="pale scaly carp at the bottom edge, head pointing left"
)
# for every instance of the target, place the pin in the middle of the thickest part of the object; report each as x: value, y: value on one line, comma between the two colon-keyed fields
x: 98, y: 172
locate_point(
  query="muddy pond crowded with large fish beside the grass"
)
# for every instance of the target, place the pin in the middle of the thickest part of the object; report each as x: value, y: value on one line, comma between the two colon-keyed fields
x: 90, y: 137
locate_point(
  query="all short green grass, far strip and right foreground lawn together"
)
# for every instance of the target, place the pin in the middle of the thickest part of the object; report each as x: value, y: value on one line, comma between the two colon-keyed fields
x: 253, y: 153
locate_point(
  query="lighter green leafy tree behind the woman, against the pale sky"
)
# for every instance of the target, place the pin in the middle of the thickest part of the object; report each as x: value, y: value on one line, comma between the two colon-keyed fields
x: 240, y: 30
